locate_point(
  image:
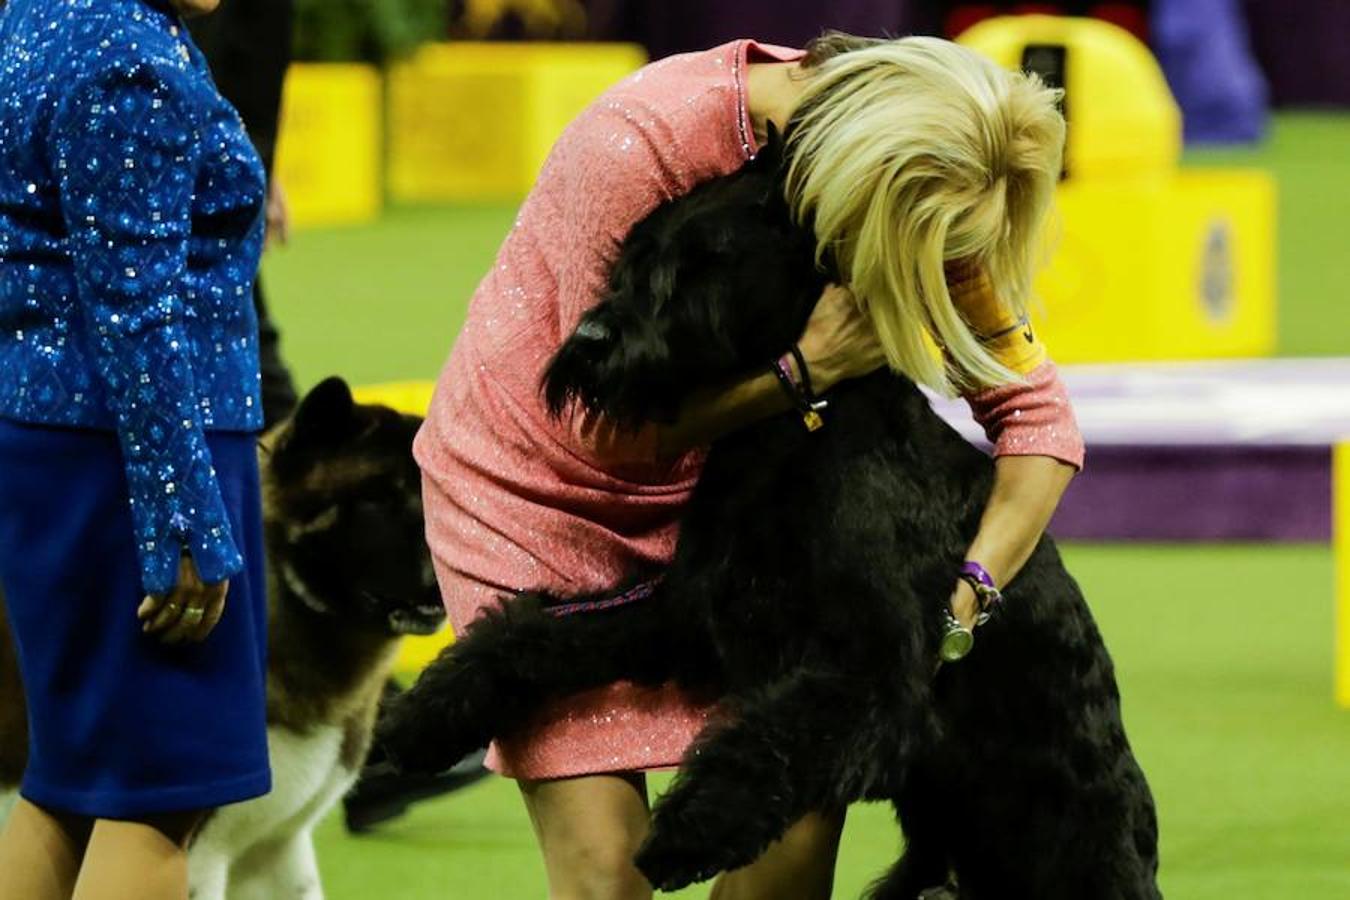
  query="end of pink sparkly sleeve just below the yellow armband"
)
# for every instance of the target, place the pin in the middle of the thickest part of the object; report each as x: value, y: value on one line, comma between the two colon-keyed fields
x: 1031, y: 419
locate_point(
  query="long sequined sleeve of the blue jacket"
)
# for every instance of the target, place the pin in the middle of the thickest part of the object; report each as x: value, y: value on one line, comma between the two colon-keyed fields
x: 128, y: 156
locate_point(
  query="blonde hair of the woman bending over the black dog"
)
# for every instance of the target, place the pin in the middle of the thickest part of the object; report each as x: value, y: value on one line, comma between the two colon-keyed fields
x: 911, y: 154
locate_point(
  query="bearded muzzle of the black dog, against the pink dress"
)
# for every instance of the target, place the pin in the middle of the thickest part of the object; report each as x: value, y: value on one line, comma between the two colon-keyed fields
x: 616, y: 362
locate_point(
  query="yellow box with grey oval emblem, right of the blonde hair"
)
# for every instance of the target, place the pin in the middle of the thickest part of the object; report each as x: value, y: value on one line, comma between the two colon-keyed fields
x: 1179, y: 268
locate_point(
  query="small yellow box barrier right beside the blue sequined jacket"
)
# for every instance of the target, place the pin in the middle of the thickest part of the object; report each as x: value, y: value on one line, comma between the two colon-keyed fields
x: 329, y: 153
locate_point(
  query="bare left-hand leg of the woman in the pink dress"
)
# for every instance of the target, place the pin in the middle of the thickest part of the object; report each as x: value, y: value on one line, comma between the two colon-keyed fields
x: 589, y: 831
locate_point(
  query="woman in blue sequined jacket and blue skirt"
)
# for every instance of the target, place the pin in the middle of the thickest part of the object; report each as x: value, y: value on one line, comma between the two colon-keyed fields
x: 130, y: 233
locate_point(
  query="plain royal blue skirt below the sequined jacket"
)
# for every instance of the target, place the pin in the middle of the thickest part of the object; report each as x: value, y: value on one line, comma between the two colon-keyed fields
x: 121, y: 725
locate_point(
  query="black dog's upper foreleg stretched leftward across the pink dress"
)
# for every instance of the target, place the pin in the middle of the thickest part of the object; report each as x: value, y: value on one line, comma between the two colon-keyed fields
x: 516, y: 658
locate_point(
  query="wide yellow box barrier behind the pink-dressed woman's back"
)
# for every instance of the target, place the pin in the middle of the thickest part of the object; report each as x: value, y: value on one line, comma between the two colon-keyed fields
x: 477, y: 121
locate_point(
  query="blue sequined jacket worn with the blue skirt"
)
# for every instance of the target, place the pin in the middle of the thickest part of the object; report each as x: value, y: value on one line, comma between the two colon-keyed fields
x: 130, y: 233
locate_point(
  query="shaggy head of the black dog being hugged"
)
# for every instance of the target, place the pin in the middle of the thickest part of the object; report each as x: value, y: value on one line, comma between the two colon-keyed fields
x: 708, y: 288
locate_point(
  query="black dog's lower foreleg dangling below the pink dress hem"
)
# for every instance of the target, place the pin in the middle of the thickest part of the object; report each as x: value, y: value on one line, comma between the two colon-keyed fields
x: 808, y: 741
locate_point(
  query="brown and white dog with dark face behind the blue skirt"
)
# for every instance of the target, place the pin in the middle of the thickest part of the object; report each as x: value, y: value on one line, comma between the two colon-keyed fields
x: 348, y: 574
